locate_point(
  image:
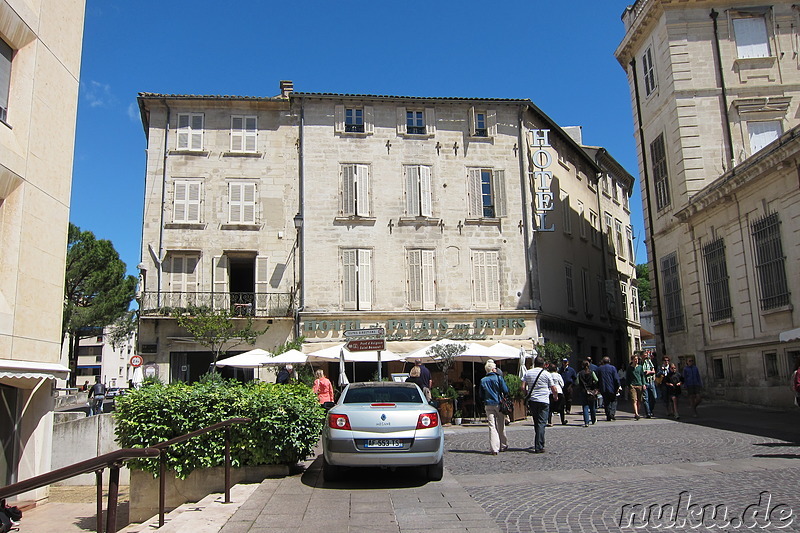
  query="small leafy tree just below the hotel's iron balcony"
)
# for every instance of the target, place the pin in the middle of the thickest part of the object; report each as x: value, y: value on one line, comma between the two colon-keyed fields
x: 216, y: 330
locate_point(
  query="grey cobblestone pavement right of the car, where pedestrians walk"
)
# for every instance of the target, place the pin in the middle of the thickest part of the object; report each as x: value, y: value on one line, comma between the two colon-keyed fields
x: 588, y: 475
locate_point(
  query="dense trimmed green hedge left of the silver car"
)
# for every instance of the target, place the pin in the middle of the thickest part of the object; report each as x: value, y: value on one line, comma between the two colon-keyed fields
x: 286, y: 422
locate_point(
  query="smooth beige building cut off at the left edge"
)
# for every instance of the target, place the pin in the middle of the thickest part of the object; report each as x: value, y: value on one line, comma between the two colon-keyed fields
x: 40, y: 55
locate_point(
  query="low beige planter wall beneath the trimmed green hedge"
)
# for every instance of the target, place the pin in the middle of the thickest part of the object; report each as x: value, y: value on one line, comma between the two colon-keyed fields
x: 199, y: 484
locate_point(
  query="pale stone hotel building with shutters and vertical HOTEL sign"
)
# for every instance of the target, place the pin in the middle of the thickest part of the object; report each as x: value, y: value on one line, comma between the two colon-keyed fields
x: 473, y: 219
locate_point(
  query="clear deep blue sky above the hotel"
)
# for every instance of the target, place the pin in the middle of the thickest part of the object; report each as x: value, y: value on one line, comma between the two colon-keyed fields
x: 558, y: 54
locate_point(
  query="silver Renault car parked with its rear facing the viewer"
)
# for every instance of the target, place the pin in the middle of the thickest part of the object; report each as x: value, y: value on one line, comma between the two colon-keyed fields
x: 383, y: 424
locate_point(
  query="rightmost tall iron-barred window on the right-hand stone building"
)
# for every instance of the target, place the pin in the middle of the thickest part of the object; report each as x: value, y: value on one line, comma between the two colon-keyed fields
x: 769, y: 261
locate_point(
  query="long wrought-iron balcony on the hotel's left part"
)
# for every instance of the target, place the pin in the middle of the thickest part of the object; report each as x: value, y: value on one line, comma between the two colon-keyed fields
x: 244, y: 304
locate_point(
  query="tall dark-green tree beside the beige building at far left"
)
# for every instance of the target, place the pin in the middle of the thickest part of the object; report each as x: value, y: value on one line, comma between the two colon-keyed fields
x: 96, y: 289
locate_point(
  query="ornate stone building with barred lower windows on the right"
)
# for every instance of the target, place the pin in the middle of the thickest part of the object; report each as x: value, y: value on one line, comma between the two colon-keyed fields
x: 714, y: 88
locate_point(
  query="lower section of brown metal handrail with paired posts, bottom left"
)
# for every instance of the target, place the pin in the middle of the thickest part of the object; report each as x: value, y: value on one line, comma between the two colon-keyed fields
x: 112, y: 461
